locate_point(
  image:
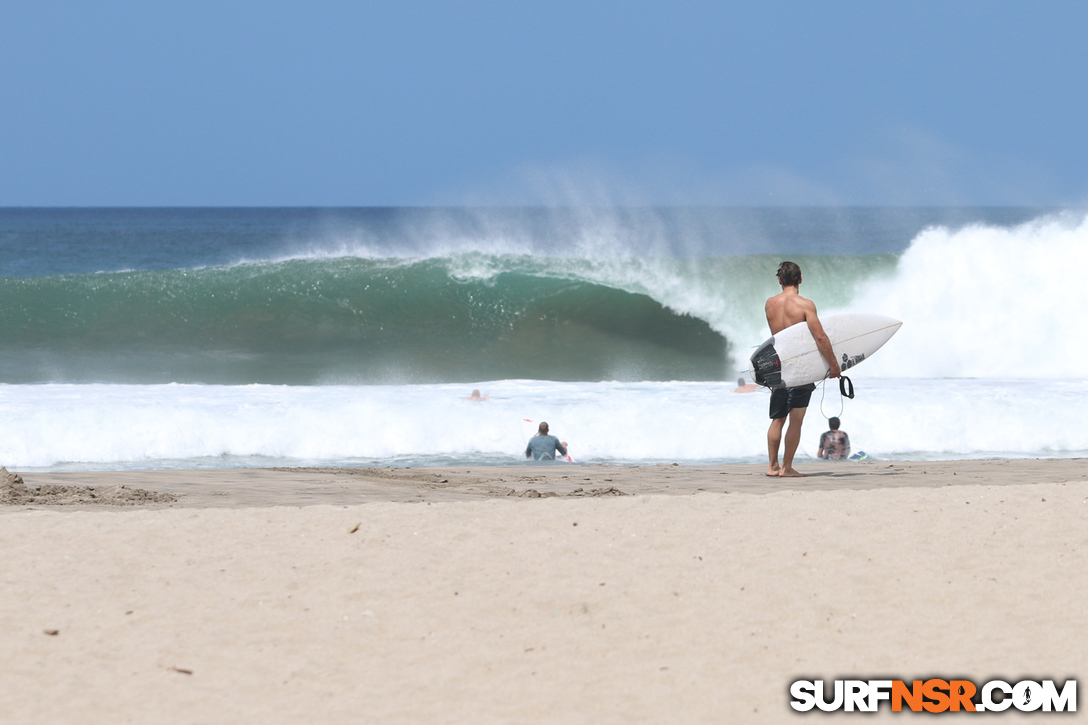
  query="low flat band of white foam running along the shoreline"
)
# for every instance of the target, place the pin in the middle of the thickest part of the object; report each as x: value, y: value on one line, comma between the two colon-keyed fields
x: 222, y: 426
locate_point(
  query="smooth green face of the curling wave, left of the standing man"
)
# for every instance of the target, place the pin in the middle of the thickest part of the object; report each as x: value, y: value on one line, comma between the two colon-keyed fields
x: 345, y: 321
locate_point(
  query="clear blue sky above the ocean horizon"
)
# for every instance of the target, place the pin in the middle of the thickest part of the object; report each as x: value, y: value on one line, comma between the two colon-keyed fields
x: 390, y: 104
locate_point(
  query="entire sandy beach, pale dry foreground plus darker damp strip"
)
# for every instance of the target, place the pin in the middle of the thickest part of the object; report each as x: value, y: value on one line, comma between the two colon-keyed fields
x: 534, y: 594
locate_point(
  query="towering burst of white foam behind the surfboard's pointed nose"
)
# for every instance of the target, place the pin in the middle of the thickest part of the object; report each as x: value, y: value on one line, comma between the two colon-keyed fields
x: 986, y: 302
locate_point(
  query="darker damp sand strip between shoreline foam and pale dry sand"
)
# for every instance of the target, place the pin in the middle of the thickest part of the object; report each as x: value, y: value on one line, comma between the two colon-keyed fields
x: 305, y: 487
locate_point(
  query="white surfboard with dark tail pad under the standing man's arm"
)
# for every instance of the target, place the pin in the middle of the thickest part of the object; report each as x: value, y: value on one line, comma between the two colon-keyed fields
x: 790, y: 359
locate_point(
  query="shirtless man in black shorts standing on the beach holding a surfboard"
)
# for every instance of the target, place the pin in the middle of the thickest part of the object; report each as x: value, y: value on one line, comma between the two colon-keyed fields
x: 785, y: 310
